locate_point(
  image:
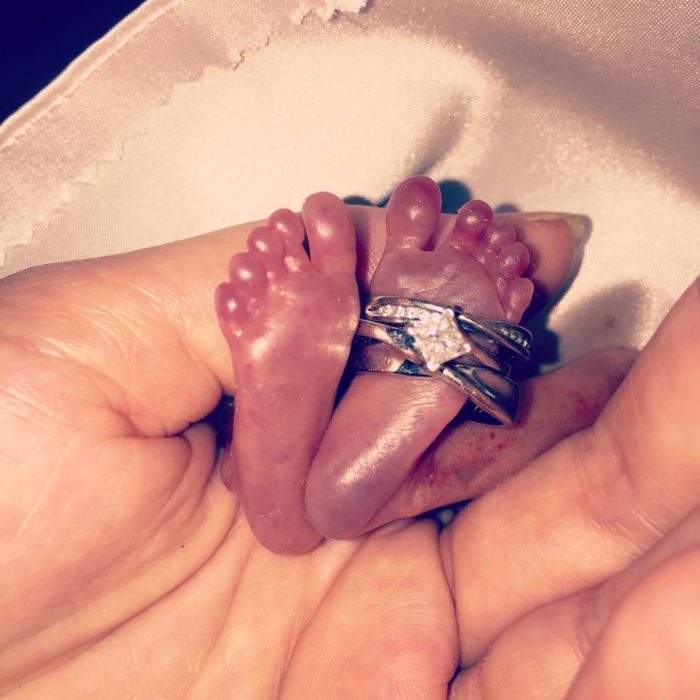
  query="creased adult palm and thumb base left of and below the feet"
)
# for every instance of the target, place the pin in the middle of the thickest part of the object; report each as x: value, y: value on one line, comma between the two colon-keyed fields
x: 128, y: 570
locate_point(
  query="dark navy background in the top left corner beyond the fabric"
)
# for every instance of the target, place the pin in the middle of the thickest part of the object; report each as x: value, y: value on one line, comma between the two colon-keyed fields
x: 39, y: 38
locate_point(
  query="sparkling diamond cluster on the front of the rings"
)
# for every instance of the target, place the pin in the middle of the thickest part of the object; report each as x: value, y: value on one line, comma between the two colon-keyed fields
x: 436, y: 335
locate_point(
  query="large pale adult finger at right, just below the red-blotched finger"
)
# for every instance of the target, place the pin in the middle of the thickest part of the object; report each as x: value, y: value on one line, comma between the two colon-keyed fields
x: 592, y: 504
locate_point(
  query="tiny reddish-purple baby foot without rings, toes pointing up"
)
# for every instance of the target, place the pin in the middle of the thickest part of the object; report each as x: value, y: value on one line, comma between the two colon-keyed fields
x: 289, y: 319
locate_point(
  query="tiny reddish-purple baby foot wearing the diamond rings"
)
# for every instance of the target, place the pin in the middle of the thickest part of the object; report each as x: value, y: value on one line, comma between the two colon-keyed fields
x: 385, y: 422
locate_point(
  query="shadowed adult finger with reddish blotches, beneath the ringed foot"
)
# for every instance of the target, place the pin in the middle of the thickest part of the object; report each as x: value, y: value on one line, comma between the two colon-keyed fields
x: 469, y: 459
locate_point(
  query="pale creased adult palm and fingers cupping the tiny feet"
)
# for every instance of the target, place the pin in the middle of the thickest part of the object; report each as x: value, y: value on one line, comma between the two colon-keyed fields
x: 129, y: 572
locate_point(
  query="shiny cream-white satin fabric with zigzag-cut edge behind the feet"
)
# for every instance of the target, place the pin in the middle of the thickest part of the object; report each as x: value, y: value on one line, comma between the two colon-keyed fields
x: 195, y: 114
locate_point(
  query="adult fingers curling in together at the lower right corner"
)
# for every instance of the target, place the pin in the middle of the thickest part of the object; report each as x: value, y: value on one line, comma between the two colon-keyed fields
x: 591, y: 555
